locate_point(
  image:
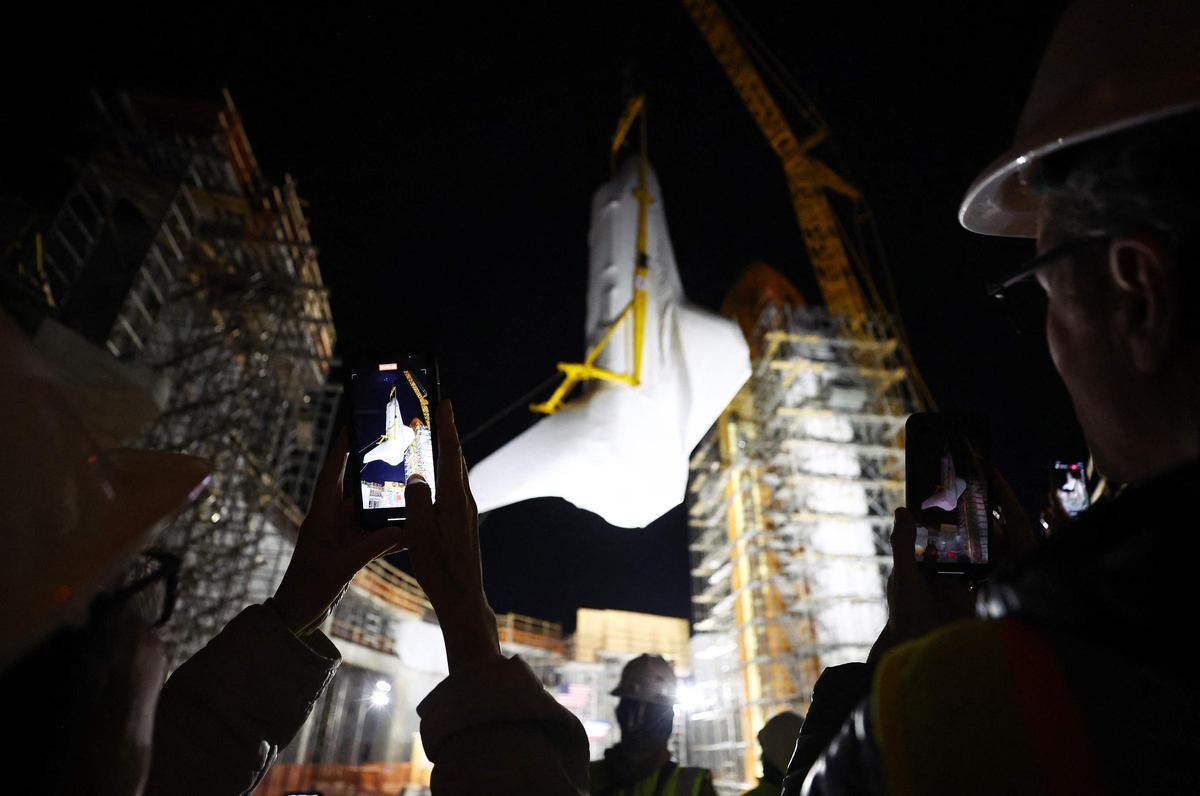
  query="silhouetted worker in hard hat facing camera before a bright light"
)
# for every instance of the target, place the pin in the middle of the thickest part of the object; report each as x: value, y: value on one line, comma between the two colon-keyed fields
x: 640, y: 764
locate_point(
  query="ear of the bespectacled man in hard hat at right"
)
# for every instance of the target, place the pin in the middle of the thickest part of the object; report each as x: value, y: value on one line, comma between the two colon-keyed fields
x: 1145, y: 301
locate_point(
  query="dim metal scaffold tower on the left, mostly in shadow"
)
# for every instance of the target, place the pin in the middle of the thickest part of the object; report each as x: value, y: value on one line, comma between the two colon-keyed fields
x: 175, y: 253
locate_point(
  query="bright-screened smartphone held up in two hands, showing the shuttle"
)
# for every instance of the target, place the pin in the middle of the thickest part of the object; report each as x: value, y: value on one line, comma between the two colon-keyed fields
x: 392, y: 400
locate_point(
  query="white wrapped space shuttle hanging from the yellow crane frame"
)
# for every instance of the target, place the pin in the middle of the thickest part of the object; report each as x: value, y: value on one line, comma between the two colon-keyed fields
x: 619, y: 451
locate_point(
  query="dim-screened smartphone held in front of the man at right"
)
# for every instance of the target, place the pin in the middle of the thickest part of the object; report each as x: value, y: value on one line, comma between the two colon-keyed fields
x: 947, y: 458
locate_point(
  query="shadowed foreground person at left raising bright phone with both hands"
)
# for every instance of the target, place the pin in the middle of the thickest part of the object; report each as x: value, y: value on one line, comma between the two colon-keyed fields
x: 82, y: 671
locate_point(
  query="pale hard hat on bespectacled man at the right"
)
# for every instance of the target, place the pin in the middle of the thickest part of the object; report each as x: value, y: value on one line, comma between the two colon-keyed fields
x: 1111, y: 65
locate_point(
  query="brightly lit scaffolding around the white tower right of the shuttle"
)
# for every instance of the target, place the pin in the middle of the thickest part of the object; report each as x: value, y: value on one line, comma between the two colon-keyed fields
x: 790, y: 507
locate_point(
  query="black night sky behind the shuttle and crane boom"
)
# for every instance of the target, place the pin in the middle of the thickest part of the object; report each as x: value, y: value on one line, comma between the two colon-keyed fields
x: 451, y: 151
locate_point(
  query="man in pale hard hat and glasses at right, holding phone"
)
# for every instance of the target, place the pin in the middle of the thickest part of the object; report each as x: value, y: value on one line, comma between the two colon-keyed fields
x: 1065, y: 684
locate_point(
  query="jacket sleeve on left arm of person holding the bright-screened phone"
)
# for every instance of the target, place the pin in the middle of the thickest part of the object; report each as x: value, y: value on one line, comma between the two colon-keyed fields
x: 227, y: 711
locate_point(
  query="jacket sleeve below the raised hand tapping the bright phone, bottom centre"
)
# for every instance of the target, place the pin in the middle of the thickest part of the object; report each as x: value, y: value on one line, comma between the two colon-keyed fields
x: 493, y: 728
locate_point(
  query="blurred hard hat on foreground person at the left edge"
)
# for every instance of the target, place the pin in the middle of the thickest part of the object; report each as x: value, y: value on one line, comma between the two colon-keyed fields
x: 74, y: 511
